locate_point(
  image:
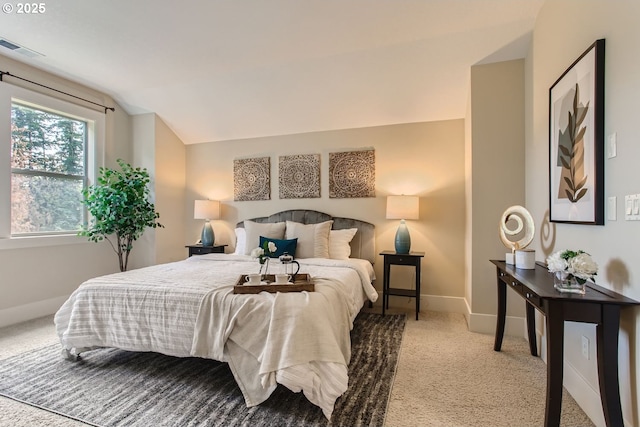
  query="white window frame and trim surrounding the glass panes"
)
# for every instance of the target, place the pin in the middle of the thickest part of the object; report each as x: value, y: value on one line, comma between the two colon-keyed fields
x: 95, y: 159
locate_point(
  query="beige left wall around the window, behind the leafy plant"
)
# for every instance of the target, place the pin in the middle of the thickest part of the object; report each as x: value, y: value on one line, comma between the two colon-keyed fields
x: 35, y: 280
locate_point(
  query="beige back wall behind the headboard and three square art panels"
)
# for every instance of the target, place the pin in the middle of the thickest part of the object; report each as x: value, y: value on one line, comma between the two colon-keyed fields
x: 425, y: 159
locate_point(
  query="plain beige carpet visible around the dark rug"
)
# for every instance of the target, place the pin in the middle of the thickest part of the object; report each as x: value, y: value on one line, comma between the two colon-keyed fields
x: 447, y: 376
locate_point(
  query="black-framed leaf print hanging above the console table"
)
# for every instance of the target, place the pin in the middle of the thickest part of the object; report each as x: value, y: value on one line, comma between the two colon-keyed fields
x: 576, y: 141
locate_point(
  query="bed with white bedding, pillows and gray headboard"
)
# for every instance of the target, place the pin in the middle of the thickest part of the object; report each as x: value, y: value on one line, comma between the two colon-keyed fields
x: 187, y: 308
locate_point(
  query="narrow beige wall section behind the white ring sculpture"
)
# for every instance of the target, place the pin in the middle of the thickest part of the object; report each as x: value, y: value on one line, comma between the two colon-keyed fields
x: 495, y: 181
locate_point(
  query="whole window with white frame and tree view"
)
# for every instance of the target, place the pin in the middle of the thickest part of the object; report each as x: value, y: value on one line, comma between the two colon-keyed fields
x: 49, y: 158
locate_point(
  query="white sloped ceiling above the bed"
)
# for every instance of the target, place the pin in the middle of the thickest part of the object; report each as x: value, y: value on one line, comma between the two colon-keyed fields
x: 230, y: 69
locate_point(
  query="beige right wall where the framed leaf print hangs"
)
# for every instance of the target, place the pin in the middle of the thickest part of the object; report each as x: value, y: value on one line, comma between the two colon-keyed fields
x: 564, y: 30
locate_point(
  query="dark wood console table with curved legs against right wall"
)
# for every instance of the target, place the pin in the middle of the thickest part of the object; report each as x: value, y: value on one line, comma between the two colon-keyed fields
x: 598, y: 305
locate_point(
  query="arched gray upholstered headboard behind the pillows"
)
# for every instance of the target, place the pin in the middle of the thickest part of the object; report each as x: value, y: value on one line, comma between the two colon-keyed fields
x: 362, y: 244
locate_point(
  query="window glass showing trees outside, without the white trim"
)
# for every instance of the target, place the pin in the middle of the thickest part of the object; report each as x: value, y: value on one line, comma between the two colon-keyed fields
x: 47, y: 171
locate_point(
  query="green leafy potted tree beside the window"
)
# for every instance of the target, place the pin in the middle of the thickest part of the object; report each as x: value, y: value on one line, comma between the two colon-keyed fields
x: 119, y: 205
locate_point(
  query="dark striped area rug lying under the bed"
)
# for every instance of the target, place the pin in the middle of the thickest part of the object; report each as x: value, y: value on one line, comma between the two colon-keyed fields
x: 111, y: 387
